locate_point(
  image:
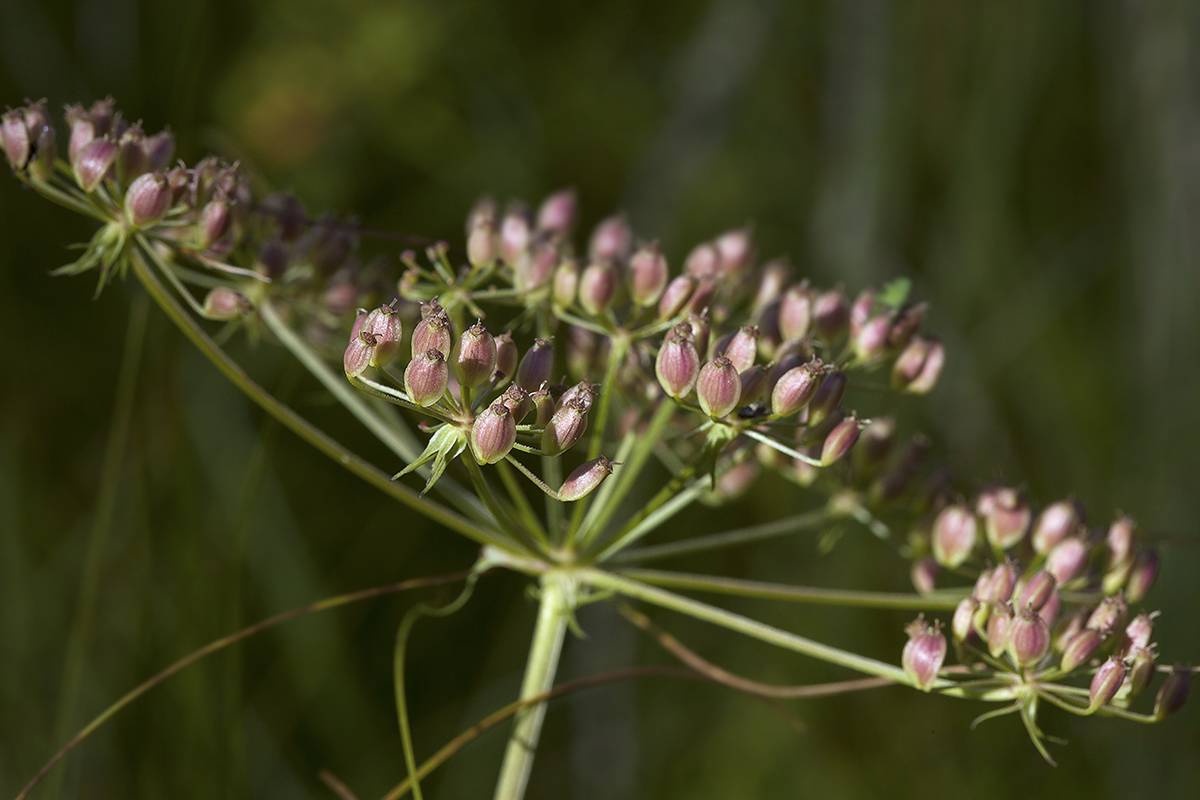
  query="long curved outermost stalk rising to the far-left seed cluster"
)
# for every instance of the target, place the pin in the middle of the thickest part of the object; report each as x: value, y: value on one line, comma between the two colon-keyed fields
x: 298, y: 425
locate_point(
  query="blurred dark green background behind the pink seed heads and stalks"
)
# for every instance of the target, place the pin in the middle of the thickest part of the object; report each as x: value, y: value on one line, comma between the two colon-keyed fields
x: 1034, y: 167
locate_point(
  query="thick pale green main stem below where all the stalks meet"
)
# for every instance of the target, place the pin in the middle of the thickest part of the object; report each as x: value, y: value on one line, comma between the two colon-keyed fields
x: 557, y: 601
